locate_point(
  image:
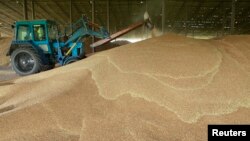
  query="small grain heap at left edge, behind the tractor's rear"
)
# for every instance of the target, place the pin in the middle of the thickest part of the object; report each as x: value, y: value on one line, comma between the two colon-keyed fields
x: 4, y: 46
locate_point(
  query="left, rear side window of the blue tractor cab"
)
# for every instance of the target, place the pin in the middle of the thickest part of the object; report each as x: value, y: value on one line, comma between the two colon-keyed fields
x: 23, y: 33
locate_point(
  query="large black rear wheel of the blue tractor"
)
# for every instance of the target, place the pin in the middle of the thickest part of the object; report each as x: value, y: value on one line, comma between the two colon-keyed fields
x: 26, y: 61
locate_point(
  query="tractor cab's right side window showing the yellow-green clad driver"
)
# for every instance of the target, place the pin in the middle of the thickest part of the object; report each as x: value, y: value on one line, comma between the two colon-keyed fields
x: 39, y: 32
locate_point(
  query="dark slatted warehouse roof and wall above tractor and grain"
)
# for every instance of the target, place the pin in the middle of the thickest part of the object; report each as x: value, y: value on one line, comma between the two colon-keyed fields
x: 180, y: 16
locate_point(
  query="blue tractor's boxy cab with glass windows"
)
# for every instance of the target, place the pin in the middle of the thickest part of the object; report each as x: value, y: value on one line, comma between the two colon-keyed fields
x: 39, y: 33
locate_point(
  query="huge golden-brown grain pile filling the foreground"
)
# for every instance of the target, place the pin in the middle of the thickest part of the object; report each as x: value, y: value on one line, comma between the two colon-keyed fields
x: 164, y: 88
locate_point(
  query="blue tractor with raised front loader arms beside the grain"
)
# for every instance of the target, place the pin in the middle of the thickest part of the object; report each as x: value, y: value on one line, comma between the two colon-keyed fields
x: 38, y: 45
